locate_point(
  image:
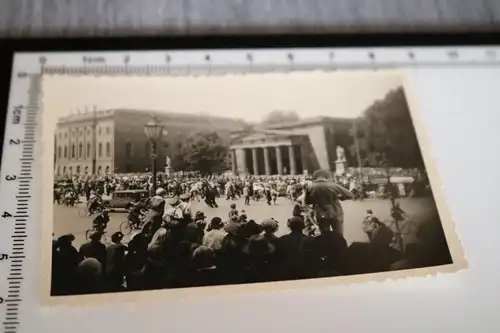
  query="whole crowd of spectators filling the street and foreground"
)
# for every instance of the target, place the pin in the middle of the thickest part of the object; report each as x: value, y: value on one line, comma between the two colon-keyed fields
x: 179, y: 248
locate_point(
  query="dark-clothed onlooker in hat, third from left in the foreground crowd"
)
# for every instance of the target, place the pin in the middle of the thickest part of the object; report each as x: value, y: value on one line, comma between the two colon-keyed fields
x: 115, y: 262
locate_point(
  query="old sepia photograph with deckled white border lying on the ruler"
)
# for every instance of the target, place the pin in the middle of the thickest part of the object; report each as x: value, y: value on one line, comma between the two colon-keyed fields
x: 172, y: 182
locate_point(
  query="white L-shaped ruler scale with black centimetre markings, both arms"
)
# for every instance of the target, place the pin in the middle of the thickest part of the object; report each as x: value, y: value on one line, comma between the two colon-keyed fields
x: 19, y: 183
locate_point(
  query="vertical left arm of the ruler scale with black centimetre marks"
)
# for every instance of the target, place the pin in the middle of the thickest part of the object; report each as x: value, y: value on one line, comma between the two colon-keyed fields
x: 16, y: 189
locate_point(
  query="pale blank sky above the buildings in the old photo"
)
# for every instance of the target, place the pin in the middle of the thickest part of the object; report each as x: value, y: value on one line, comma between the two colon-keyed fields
x: 248, y: 97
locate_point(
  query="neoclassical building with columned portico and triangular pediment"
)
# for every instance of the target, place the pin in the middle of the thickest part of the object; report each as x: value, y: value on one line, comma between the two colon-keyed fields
x: 290, y: 148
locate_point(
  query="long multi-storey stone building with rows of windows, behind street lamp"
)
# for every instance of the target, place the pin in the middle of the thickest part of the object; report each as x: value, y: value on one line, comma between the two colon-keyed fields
x: 120, y: 143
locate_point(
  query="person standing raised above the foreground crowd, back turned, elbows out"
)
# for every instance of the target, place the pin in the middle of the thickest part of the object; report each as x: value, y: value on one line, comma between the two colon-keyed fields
x: 324, y: 197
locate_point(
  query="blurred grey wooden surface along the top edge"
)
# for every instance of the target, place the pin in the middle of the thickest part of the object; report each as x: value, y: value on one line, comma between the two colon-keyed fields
x: 188, y: 17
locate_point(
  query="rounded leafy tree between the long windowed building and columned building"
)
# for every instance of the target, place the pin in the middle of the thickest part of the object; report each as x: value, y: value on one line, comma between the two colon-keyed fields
x: 205, y: 152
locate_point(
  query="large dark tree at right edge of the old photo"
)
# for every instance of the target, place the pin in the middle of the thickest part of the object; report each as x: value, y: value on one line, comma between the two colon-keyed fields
x: 391, y: 133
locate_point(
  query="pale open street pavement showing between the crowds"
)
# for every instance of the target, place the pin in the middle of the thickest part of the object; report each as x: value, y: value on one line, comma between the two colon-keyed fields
x: 67, y: 219
